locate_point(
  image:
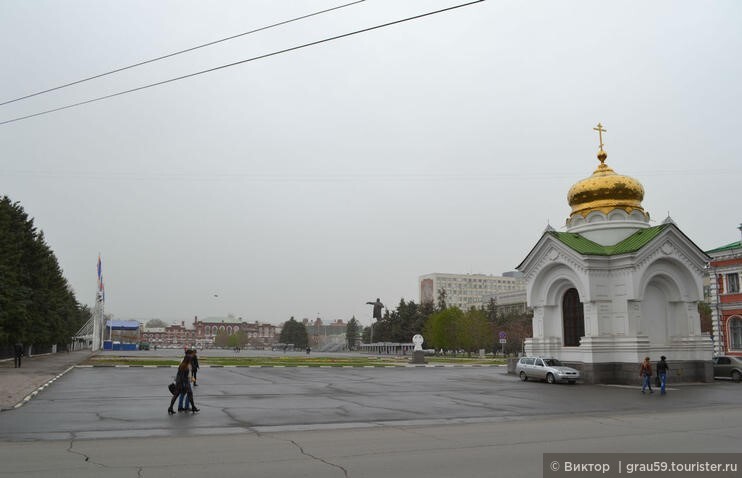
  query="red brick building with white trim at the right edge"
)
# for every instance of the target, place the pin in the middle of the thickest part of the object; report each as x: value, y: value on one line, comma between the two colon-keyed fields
x: 725, y: 298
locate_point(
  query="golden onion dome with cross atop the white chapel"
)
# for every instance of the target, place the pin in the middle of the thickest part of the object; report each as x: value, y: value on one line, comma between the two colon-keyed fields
x: 605, y: 190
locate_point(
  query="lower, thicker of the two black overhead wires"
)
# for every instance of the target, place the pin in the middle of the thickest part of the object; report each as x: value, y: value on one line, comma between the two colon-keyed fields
x: 228, y: 65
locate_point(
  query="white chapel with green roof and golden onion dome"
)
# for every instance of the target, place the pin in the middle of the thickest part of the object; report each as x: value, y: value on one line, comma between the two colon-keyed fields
x: 612, y: 289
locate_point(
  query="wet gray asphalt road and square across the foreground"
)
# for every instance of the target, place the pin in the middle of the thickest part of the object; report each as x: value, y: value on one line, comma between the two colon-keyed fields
x: 349, y: 422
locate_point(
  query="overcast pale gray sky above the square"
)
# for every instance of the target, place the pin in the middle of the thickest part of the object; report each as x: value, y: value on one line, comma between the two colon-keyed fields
x: 308, y: 183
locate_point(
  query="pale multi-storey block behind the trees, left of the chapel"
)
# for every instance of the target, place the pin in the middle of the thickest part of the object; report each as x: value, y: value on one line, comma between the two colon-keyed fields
x: 468, y: 290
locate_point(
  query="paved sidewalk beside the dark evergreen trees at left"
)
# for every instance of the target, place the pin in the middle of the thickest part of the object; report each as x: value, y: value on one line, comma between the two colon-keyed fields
x: 35, y: 371
